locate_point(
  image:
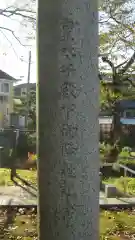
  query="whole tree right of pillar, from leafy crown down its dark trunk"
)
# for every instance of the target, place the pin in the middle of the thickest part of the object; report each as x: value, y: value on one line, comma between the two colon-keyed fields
x: 116, y: 42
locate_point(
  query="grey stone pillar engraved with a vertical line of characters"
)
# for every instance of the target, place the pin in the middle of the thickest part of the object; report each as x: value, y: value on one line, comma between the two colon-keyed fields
x: 67, y: 122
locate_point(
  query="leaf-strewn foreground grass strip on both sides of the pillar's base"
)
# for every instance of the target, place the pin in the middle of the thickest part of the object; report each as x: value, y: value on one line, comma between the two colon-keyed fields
x: 114, y: 225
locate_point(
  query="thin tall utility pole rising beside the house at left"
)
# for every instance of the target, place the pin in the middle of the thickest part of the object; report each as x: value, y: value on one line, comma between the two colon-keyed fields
x: 28, y: 90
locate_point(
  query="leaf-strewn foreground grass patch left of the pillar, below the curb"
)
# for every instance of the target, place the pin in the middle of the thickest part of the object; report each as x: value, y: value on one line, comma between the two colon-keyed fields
x: 20, y: 224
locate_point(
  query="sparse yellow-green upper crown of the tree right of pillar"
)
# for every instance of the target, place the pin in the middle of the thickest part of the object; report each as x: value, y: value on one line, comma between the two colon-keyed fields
x: 117, y: 34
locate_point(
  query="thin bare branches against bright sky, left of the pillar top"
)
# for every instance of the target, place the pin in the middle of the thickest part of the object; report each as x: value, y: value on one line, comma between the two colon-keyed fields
x: 24, y: 13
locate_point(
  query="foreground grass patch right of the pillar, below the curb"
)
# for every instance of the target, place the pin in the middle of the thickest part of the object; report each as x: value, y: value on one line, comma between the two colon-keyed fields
x: 117, y: 225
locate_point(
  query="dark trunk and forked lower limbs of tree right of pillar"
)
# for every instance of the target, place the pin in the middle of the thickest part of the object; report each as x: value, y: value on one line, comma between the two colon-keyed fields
x: 109, y: 100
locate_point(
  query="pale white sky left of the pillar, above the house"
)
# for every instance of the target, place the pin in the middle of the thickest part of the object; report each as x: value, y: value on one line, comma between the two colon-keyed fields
x: 11, y: 52
